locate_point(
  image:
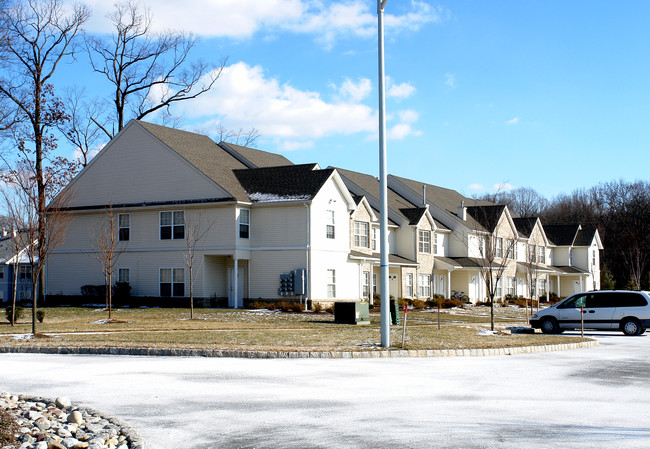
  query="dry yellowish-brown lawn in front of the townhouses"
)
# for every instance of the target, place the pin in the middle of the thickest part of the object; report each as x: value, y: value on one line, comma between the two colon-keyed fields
x: 263, y: 330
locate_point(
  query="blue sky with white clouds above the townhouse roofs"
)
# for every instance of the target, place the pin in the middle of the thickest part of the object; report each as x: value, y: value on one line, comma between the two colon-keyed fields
x: 551, y: 95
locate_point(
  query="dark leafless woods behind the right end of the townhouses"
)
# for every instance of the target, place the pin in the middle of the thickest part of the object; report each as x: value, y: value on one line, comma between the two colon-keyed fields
x: 620, y: 210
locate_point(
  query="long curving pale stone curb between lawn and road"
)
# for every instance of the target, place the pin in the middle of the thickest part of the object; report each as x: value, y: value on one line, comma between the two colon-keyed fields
x: 371, y: 354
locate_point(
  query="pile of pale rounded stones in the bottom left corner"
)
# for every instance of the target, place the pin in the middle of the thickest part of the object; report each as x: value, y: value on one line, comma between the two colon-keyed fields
x: 46, y: 424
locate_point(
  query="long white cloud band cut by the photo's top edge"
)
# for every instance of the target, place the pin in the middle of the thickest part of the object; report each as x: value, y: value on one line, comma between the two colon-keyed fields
x: 326, y: 21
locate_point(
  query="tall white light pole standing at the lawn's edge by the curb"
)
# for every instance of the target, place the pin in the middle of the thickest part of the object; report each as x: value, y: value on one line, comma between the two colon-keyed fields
x: 383, y: 194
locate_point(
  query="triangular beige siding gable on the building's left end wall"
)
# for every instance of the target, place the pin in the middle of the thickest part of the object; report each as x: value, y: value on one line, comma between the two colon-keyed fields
x: 139, y: 168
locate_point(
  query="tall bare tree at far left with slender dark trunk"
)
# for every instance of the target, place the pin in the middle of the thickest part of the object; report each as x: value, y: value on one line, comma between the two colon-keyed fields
x: 37, y: 36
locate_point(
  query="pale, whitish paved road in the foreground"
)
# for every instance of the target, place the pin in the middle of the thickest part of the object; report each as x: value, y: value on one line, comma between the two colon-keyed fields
x: 582, y: 398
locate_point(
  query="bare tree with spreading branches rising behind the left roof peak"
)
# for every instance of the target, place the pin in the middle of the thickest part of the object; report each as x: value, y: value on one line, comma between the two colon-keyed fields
x: 149, y: 72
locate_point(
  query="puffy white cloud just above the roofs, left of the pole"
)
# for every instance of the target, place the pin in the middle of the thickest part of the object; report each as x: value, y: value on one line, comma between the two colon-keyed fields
x: 245, y: 97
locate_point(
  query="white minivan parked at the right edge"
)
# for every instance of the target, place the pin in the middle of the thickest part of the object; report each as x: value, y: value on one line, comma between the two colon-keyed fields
x: 627, y: 311
